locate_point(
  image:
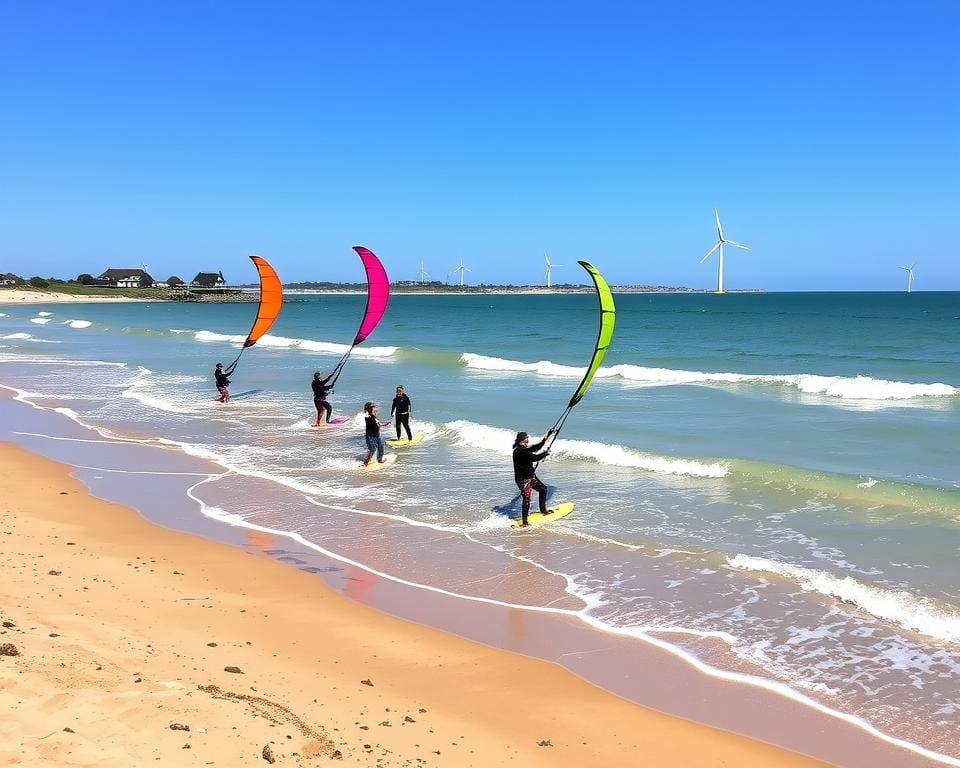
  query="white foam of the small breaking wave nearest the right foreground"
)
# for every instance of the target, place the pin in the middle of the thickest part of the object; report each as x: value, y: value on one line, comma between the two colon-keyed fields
x: 909, y: 611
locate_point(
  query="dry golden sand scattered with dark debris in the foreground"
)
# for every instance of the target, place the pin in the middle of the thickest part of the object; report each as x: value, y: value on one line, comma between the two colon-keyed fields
x: 124, y: 629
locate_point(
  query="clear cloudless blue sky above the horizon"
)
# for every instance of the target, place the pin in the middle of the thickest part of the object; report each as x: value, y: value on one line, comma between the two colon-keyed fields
x: 185, y: 135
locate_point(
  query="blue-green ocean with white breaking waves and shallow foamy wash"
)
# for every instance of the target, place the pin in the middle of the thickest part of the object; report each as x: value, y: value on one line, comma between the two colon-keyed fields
x: 768, y: 483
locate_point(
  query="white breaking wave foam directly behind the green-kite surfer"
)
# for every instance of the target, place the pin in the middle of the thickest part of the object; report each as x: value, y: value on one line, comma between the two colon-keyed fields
x: 501, y: 441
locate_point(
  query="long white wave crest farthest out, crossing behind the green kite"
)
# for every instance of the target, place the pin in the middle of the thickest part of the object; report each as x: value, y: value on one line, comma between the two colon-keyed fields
x: 843, y: 387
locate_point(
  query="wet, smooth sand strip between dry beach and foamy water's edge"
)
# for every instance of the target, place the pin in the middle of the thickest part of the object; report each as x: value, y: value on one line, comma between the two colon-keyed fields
x: 642, y: 672
